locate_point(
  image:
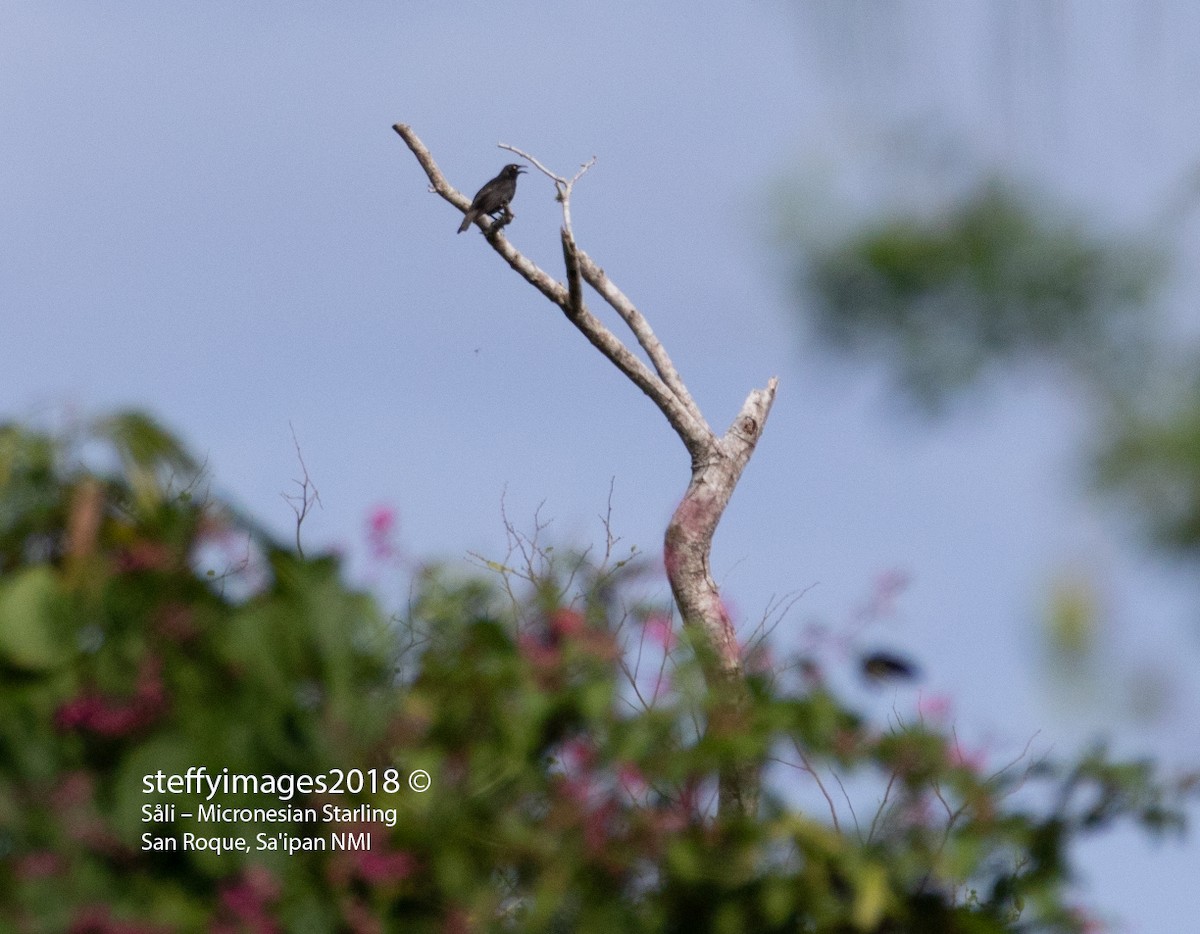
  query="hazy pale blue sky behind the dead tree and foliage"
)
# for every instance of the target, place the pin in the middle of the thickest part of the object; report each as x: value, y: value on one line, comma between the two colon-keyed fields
x: 211, y: 217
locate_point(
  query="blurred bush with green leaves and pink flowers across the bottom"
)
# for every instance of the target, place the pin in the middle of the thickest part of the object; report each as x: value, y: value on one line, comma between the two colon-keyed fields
x: 145, y: 627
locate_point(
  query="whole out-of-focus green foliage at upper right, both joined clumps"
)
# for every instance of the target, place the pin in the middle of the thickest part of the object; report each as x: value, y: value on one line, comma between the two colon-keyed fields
x: 998, y: 280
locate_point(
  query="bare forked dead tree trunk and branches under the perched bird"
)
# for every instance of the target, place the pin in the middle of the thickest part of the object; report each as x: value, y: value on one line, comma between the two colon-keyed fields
x: 717, y: 460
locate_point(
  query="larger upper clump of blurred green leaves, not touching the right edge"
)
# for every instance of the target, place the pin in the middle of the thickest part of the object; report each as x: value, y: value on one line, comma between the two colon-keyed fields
x: 945, y: 297
